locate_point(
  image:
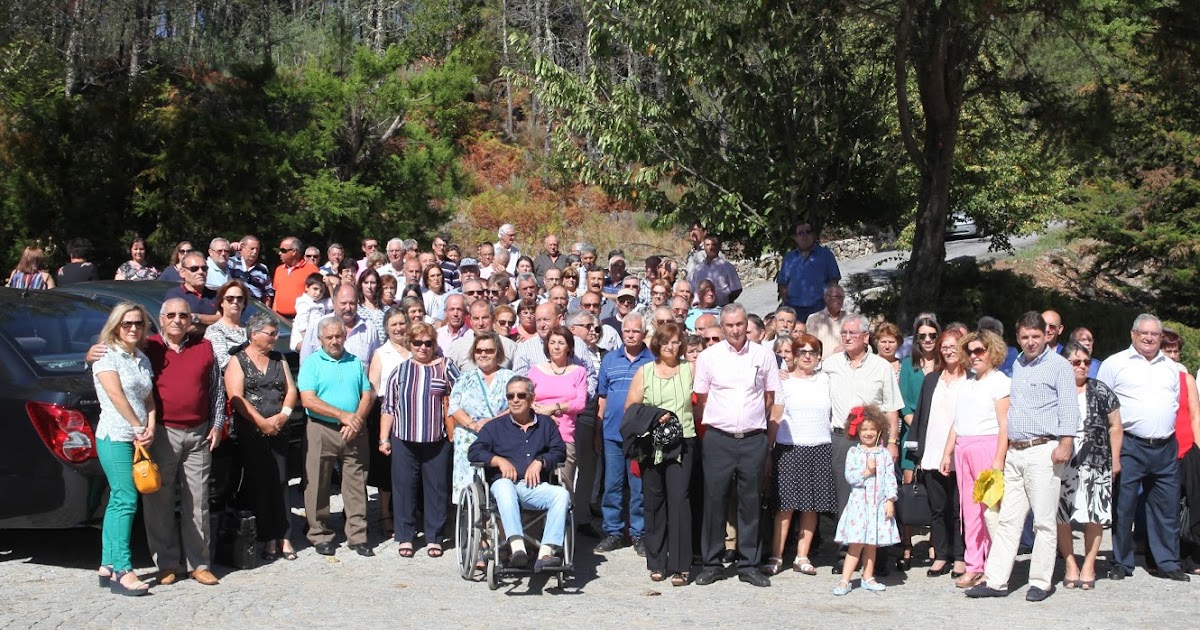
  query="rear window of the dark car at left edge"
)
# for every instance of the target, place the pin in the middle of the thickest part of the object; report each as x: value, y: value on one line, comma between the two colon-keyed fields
x: 55, y: 335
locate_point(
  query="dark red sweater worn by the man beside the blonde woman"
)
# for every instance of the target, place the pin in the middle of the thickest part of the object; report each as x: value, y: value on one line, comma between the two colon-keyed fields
x: 183, y: 381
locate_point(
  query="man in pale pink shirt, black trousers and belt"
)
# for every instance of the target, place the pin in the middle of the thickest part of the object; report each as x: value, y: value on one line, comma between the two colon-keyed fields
x: 736, y: 385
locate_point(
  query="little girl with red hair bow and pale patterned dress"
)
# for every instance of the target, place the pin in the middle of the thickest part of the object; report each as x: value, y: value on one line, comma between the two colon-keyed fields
x: 869, y: 519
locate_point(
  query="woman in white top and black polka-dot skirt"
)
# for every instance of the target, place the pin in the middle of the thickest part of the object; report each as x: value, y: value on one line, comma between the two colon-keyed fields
x: 802, y: 452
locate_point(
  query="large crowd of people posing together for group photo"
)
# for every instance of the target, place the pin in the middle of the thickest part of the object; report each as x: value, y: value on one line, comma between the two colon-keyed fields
x: 673, y: 415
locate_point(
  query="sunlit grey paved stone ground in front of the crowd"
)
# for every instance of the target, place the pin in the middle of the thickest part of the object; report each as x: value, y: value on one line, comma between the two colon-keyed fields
x: 47, y: 581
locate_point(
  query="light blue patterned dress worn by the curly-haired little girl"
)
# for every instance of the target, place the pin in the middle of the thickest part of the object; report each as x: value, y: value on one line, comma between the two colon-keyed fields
x: 865, y: 521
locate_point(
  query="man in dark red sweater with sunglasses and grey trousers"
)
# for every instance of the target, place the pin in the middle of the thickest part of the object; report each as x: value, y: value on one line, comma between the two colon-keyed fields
x: 190, y: 394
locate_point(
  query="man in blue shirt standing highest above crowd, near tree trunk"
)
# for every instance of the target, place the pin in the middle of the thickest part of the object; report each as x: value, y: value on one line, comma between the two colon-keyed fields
x: 806, y: 273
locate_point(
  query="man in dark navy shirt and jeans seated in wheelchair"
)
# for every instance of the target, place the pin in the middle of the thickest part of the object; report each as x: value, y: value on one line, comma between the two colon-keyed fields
x: 520, y: 452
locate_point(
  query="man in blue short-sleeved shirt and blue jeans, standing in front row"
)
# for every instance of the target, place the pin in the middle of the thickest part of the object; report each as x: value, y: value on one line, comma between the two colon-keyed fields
x: 617, y: 373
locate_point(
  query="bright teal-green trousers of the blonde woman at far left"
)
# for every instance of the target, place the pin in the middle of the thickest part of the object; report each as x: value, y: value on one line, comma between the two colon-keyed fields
x: 117, y: 460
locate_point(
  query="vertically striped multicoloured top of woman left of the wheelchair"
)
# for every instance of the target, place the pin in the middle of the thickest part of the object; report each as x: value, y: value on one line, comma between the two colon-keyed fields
x: 416, y: 397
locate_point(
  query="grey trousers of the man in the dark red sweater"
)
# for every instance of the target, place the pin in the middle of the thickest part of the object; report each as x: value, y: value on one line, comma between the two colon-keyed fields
x: 184, y: 461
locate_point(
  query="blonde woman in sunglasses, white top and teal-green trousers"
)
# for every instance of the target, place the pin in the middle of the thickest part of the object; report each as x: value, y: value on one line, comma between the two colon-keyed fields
x: 128, y: 415
